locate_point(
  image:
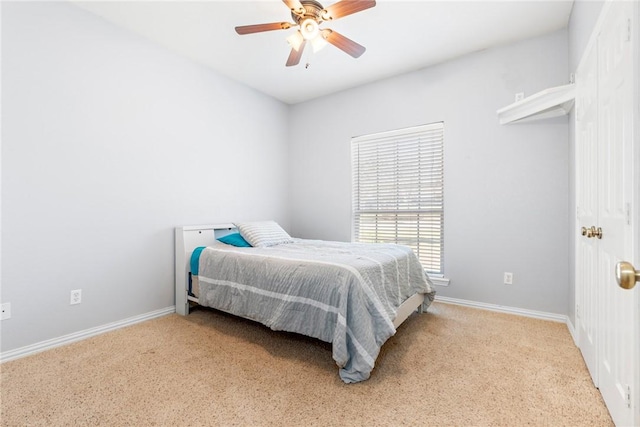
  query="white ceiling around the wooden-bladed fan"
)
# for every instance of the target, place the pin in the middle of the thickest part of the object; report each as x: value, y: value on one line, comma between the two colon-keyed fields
x: 400, y: 36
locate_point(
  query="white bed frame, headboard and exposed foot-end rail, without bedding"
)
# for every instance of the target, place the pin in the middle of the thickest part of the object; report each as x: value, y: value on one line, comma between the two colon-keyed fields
x: 190, y: 237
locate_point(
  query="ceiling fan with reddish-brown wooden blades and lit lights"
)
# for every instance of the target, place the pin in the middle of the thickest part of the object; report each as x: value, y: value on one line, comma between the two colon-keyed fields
x: 308, y: 15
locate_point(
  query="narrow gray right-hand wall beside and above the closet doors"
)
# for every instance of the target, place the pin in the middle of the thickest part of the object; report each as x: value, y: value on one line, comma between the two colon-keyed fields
x: 584, y: 15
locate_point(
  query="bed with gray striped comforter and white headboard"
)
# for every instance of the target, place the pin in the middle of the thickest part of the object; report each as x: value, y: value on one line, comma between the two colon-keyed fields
x: 353, y: 296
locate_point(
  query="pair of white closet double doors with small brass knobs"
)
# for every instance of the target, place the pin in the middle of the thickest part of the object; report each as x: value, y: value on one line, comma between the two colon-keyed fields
x: 606, y: 155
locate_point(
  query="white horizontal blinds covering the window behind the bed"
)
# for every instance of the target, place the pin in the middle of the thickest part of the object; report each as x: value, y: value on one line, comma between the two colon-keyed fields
x: 398, y: 191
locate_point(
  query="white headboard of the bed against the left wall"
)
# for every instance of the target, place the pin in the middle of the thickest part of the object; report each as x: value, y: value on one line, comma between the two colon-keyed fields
x: 187, y: 239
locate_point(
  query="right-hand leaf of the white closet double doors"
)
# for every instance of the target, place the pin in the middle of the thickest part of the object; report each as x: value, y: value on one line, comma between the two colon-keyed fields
x: 618, y: 363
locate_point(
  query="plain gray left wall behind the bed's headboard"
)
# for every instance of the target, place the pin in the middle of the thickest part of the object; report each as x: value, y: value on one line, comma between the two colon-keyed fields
x: 108, y: 142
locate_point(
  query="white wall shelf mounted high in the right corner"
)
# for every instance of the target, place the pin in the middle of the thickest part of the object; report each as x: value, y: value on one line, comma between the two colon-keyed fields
x: 552, y: 102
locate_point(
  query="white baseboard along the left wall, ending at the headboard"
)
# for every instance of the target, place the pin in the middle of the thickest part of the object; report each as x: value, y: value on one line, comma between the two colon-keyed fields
x: 81, y: 335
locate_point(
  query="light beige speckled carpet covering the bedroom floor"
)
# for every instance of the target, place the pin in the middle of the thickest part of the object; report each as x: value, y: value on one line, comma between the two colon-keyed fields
x: 453, y: 366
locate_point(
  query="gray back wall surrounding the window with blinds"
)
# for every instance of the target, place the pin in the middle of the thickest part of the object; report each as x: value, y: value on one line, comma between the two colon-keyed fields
x: 506, y: 187
